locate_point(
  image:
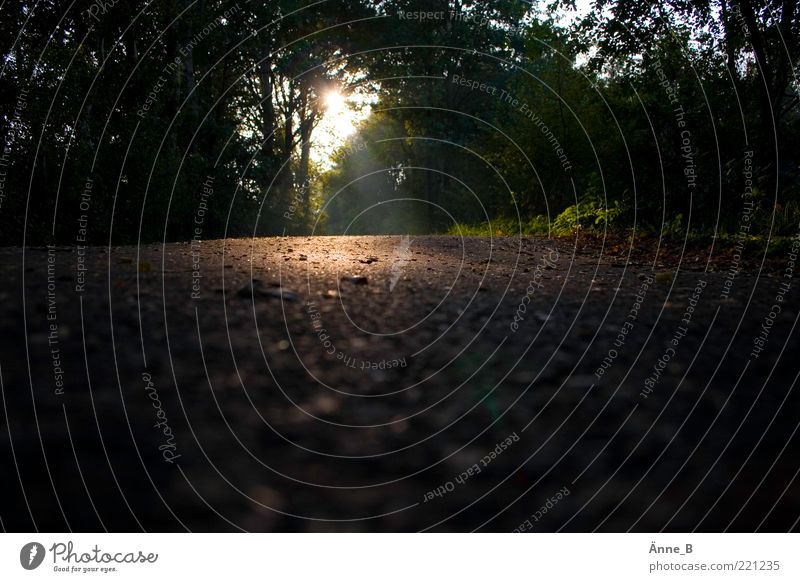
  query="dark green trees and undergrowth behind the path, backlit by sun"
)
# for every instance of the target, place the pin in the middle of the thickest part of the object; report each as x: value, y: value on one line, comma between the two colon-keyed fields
x: 120, y: 119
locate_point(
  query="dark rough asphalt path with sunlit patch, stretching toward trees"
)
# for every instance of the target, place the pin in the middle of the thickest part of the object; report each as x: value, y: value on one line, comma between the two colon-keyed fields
x: 386, y: 383
